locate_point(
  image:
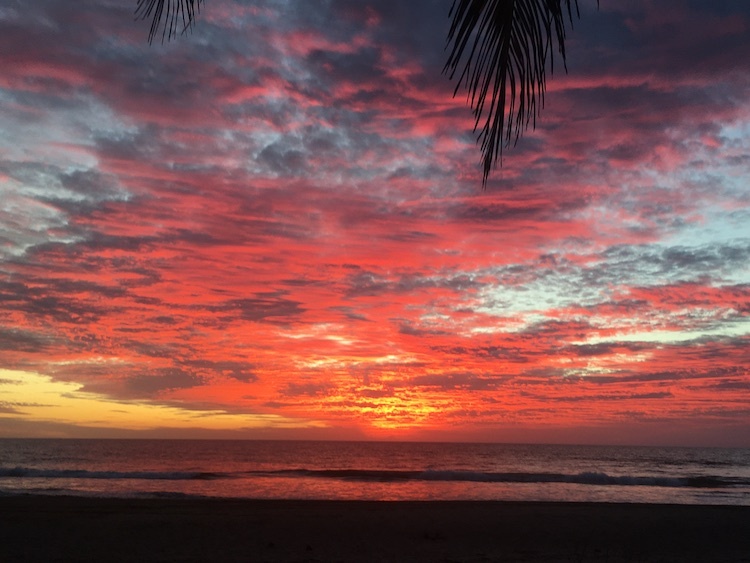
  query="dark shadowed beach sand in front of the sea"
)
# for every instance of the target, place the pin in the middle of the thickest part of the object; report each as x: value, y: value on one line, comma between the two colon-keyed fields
x: 34, y: 528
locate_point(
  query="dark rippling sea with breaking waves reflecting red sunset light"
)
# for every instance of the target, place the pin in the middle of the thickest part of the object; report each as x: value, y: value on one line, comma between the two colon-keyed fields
x: 374, y: 471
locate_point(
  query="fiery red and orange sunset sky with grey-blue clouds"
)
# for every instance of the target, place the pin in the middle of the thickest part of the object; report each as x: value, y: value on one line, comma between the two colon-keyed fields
x: 274, y: 227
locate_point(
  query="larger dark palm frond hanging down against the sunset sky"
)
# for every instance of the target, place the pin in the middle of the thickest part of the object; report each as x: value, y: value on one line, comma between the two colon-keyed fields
x: 503, y: 47
